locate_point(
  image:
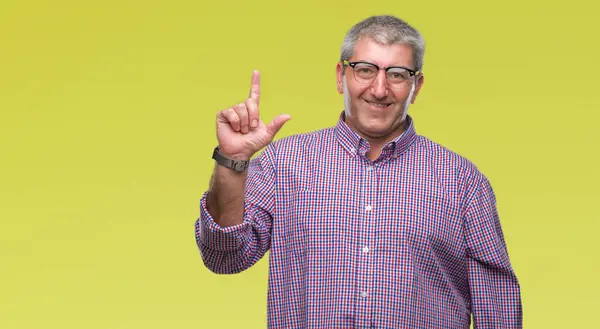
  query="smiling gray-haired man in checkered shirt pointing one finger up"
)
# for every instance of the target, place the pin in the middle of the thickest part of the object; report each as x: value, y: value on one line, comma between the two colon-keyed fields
x: 369, y: 225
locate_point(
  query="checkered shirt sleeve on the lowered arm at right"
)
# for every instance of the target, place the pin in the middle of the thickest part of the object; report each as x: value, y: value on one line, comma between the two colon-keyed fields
x: 495, y: 291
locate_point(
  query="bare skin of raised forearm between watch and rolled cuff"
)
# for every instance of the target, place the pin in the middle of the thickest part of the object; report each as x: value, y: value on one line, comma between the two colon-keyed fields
x: 225, y: 199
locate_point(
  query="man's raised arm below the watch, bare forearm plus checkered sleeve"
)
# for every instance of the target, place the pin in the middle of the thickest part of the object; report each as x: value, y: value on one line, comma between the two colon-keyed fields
x: 233, y: 231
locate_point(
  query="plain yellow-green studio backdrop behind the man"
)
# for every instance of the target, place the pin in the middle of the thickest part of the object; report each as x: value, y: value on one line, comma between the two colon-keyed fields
x: 107, y: 127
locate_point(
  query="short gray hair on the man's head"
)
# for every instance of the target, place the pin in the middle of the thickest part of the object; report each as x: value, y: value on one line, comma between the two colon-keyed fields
x: 386, y: 30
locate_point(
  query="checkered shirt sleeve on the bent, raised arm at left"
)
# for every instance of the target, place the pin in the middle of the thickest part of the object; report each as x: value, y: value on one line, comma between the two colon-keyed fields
x: 236, y: 248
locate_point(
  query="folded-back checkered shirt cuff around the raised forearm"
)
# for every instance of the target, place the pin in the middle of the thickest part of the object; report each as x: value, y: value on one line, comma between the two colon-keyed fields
x: 210, y: 235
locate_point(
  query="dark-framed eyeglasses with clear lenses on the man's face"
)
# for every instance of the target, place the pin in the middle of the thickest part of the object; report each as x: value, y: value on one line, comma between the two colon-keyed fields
x: 396, y: 76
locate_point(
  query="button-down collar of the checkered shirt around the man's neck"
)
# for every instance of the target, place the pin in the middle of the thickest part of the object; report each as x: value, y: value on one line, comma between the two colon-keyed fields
x: 356, y: 145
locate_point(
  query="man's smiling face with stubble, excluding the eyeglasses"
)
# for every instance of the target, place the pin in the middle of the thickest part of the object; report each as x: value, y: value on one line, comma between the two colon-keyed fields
x: 376, y: 111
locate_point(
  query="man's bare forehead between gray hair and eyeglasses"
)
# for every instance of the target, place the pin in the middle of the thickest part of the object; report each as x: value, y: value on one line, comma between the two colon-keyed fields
x: 369, y: 50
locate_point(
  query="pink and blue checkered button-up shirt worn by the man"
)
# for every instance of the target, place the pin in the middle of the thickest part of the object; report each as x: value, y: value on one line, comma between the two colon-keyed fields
x: 410, y: 240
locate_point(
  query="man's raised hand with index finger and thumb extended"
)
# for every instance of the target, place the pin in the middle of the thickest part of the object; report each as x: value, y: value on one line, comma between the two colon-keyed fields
x: 240, y: 130
